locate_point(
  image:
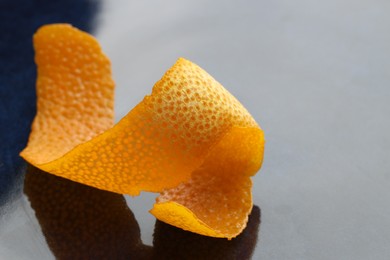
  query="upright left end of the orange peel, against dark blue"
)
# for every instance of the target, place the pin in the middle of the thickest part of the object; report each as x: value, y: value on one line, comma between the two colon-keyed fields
x: 75, y: 92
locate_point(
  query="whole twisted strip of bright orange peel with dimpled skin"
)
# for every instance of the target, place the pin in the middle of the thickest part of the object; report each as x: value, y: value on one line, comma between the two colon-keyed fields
x: 190, y: 139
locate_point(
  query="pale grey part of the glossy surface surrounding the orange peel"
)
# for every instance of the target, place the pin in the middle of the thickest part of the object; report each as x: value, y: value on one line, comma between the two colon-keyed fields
x: 314, y: 74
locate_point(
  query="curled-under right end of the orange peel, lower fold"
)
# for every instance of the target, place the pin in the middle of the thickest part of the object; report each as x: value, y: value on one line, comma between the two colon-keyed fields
x: 217, y: 199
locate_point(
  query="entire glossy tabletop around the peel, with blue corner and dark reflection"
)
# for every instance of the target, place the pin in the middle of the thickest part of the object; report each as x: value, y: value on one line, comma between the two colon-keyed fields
x: 314, y: 74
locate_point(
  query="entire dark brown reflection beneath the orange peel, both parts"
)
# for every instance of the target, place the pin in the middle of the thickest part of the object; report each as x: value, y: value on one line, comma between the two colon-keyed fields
x: 82, y: 222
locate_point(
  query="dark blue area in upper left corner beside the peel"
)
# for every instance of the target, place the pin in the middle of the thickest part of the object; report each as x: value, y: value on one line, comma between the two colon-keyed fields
x: 18, y: 22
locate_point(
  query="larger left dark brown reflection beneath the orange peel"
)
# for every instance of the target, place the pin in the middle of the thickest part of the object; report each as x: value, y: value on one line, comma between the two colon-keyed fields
x: 79, y: 221
